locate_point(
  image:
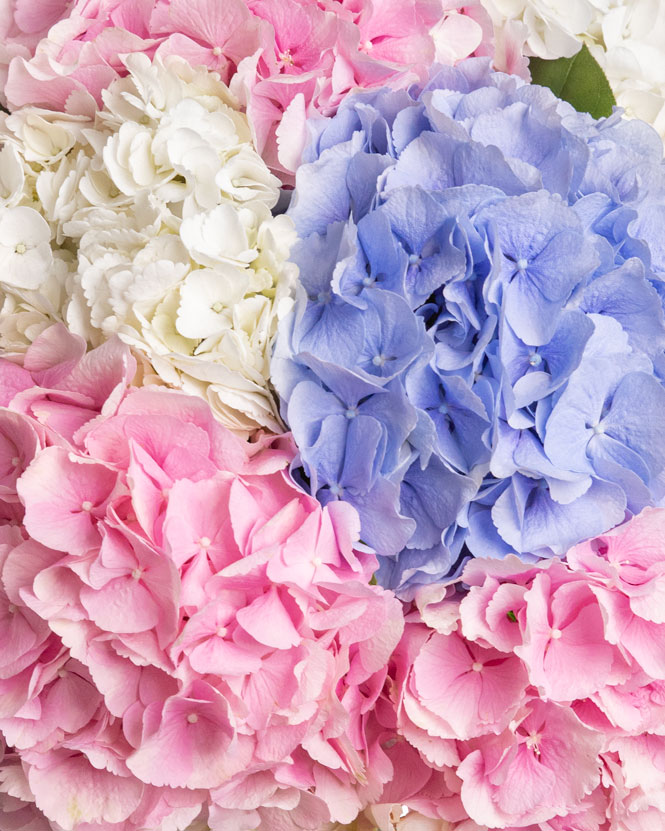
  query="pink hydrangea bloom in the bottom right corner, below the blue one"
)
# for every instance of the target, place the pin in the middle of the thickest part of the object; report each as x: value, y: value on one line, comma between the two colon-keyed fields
x: 537, y: 701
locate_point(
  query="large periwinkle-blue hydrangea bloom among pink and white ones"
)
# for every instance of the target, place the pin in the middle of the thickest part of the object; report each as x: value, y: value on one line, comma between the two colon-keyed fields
x: 479, y: 309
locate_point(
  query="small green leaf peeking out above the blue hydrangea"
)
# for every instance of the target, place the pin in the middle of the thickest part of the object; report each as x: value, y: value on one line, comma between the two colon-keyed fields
x: 578, y: 80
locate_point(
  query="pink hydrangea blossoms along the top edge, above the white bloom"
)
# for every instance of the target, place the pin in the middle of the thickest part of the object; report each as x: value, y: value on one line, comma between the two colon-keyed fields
x: 289, y: 59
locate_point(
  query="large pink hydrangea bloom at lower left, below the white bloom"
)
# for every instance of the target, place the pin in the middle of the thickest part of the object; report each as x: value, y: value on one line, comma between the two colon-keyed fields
x: 183, y: 632
